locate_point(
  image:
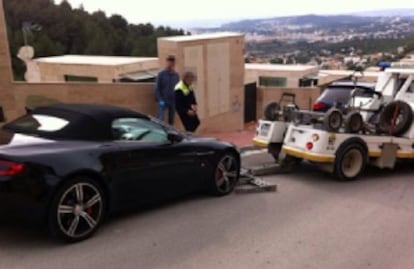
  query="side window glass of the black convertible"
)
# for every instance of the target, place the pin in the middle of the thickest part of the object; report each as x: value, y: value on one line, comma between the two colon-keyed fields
x: 135, y: 129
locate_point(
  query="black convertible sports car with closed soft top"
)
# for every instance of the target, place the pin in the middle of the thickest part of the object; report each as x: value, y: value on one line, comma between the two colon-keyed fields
x: 75, y: 163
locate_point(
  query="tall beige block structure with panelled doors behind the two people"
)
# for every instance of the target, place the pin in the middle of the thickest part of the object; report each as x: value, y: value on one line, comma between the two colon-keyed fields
x: 218, y: 62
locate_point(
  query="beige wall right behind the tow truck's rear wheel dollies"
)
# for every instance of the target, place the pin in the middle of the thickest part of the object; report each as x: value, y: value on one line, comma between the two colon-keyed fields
x: 305, y: 97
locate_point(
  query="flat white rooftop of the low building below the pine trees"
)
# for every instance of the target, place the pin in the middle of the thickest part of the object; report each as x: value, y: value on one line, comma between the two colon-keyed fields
x: 93, y: 60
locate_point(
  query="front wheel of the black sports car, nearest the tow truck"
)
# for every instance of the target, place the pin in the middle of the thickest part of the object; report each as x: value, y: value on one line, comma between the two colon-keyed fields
x: 226, y: 175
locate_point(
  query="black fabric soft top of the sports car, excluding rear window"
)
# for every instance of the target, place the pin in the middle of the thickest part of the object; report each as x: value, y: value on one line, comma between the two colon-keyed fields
x: 86, y: 121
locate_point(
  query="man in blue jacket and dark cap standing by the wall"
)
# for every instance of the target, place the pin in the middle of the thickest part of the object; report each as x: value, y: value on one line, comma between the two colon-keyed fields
x: 164, y: 90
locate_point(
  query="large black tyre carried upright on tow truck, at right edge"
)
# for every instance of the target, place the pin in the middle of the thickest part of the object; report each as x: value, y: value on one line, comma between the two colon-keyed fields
x: 404, y: 114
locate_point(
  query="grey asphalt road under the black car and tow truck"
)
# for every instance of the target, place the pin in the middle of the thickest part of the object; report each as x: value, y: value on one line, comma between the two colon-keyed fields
x: 311, y: 222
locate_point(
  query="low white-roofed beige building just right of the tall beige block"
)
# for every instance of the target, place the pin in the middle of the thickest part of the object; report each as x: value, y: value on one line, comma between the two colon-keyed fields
x: 281, y: 75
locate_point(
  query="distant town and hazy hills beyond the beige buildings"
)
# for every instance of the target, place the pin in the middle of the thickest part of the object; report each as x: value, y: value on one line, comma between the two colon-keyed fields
x: 331, y: 42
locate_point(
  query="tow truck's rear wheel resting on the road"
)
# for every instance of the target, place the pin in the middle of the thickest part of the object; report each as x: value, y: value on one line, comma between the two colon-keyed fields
x: 350, y: 161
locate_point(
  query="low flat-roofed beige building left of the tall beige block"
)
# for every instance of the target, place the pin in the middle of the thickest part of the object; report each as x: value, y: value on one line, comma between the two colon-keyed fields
x: 102, y: 69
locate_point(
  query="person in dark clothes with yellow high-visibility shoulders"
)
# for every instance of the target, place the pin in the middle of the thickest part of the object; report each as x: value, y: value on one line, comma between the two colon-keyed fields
x: 186, y: 103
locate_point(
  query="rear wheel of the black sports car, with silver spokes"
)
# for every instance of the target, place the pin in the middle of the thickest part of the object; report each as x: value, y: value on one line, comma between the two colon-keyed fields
x: 77, y: 210
